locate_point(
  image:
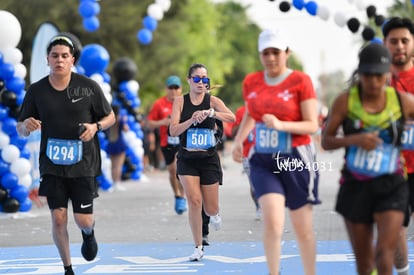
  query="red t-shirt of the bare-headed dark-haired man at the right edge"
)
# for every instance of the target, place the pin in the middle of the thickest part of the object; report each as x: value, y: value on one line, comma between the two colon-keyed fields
x: 404, y: 82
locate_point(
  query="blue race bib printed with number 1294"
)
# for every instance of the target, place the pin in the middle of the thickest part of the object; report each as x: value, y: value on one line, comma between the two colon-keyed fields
x: 63, y: 151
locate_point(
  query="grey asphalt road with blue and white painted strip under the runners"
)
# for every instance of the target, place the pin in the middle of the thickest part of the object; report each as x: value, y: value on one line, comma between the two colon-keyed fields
x: 139, y: 232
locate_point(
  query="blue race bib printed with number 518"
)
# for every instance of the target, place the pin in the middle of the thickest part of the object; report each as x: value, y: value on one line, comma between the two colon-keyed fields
x: 269, y: 141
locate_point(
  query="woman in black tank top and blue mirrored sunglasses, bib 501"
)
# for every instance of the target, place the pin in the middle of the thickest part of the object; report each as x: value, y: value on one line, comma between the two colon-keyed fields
x: 193, y: 118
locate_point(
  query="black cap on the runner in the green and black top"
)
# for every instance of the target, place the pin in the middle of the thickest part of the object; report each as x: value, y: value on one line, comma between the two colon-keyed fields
x: 374, y: 59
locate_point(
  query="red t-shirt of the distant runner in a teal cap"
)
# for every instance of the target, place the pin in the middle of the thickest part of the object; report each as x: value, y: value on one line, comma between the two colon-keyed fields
x: 161, y: 109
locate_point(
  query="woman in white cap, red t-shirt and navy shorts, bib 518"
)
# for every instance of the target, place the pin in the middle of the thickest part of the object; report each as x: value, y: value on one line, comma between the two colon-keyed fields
x: 281, y: 108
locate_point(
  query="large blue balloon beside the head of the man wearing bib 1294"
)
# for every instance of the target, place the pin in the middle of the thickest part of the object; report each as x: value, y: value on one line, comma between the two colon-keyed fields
x: 94, y: 59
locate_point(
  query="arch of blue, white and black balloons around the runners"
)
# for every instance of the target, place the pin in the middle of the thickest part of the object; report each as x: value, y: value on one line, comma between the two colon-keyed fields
x: 18, y: 176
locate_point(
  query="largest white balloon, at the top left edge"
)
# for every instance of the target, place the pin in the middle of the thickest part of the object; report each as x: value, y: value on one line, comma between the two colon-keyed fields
x: 10, y: 30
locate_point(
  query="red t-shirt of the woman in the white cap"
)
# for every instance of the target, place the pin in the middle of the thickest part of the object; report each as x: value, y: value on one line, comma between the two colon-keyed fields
x: 282, y: 100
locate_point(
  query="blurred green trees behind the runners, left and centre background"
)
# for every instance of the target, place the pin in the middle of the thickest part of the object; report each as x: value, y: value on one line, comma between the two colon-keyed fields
x: 221, y: 36
